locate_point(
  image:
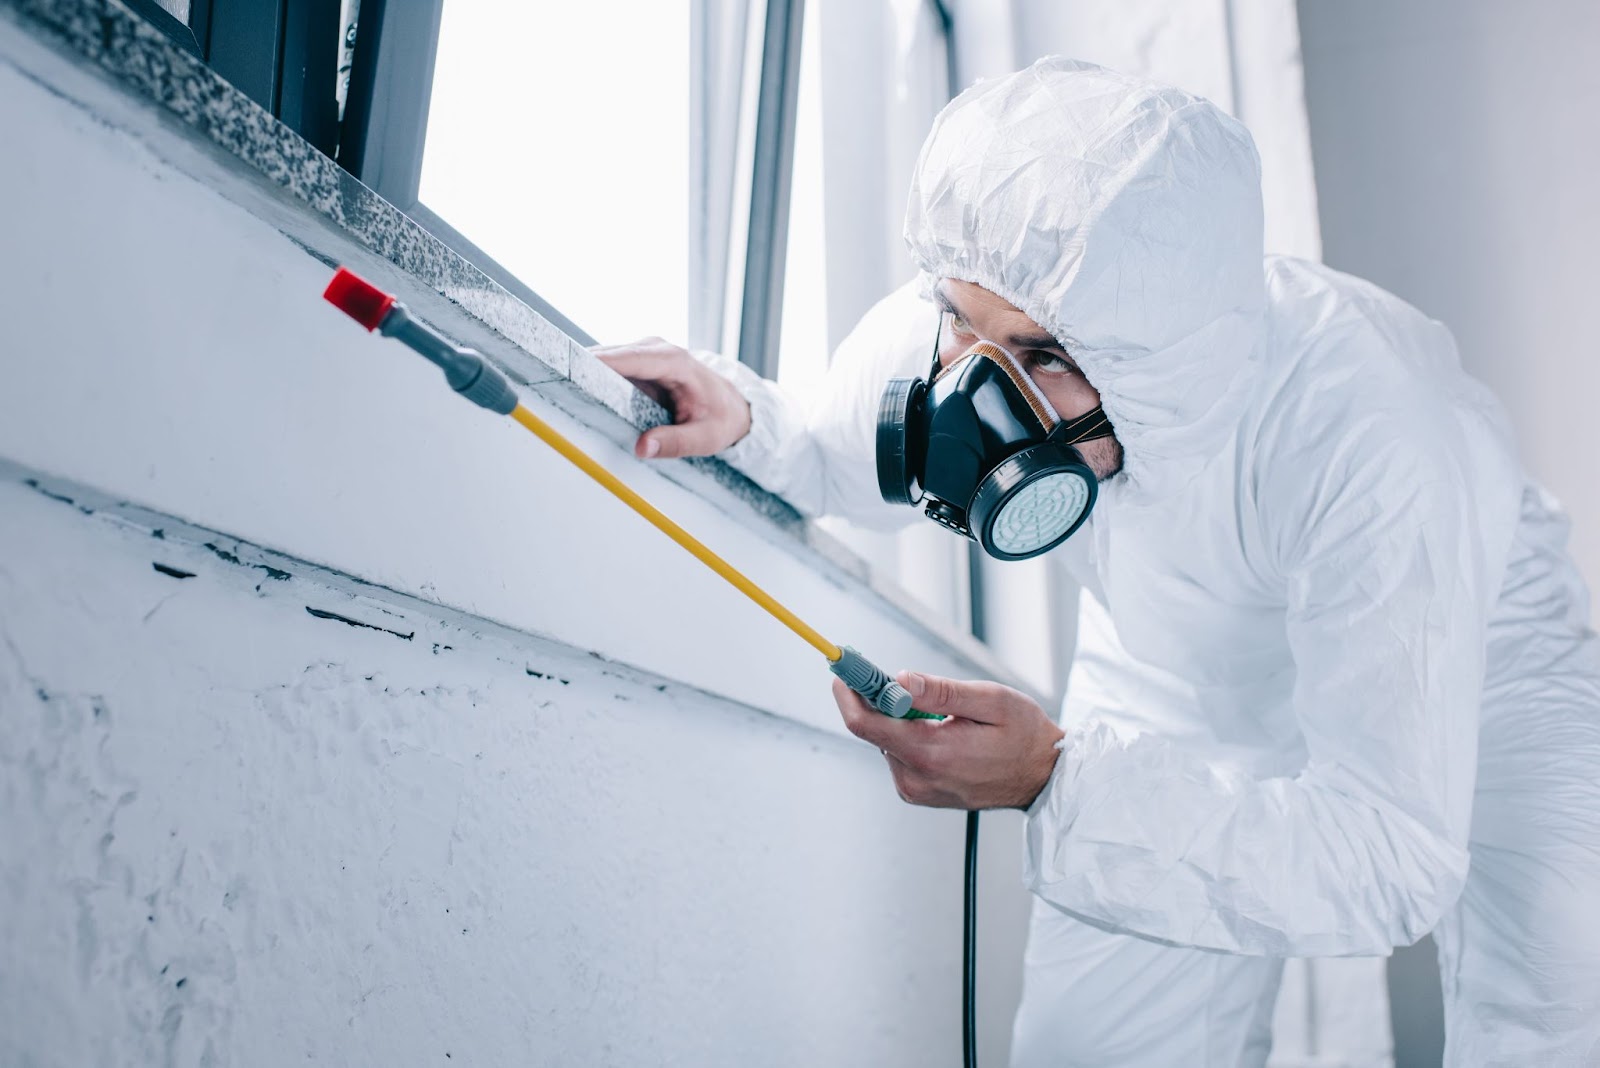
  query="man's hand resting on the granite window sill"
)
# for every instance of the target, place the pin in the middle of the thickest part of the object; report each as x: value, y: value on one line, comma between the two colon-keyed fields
x: 708, y: 412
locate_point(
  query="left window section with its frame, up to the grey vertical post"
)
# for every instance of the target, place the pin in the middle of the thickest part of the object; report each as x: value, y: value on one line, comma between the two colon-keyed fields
x: 585, y: 156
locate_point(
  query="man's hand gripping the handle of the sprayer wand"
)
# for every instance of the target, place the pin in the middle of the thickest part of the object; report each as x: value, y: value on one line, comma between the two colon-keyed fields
x: 996, y: 751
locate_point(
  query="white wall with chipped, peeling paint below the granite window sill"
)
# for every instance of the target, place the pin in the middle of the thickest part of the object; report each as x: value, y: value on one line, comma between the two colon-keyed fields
x: 233, y: 827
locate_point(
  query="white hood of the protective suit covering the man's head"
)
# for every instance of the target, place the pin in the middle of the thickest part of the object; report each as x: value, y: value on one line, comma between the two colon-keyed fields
x: 1124, y: 218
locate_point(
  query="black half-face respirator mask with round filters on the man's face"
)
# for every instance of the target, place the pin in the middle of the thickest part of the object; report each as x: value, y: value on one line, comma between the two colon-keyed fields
x: 980, y: 442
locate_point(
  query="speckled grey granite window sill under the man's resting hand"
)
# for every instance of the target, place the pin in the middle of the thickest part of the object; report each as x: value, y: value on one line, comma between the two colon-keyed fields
x: 322, y: 209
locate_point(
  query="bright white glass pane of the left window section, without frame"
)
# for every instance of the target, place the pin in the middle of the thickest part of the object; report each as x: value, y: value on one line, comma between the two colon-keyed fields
x: 559, y: 143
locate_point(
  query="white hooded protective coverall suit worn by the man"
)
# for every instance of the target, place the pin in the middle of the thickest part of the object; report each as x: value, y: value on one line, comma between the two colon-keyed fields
x: 1335, y: 683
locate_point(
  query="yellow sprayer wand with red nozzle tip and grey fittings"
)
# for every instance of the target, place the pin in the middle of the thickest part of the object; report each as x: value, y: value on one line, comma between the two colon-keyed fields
x: 471, y: 377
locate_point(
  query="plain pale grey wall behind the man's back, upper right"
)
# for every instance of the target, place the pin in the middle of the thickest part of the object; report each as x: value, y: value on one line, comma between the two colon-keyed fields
x: 1457, y: 162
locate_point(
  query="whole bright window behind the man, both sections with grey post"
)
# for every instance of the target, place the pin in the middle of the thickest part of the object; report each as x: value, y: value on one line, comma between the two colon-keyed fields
x: 724, y: 173
